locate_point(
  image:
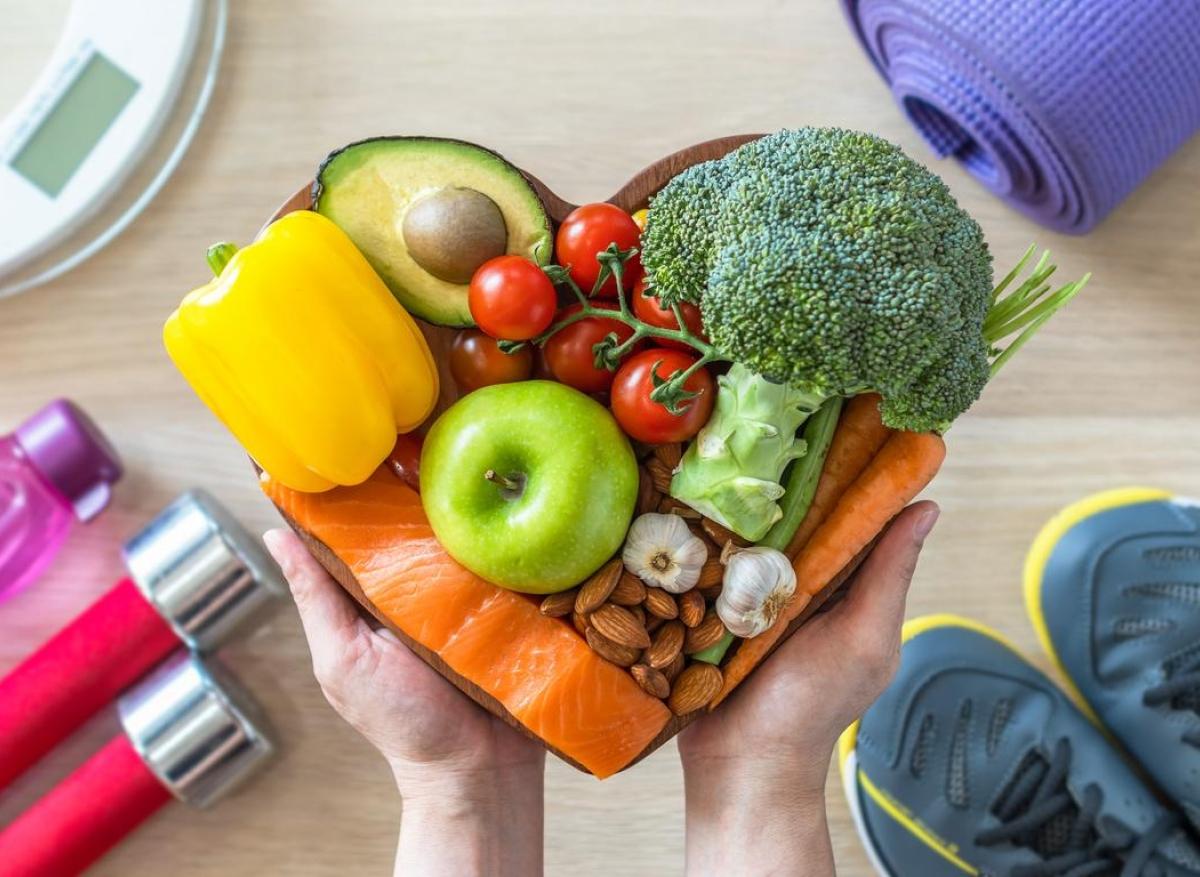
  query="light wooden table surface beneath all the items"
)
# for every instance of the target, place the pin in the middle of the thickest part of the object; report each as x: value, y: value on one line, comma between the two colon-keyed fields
x: 583, y: 95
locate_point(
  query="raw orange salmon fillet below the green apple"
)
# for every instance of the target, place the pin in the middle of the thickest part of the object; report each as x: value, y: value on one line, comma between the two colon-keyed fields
x: 538, y: 668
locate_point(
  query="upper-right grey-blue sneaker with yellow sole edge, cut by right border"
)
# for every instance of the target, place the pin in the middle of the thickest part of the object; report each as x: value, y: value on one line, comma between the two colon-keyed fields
x: 1113, y: 586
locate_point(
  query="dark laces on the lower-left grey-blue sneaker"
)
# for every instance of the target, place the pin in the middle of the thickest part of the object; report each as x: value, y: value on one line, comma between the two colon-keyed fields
x: 1039, y: 813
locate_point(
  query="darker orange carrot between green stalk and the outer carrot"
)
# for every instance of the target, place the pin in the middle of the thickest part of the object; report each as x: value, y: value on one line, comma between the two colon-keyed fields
x: 860, y: 436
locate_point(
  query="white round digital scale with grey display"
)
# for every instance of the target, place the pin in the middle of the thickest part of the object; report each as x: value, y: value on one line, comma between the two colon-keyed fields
x: 103, y: 129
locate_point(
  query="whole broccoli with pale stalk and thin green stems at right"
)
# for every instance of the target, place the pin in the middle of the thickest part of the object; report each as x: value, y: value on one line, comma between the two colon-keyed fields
x: 826, y: 263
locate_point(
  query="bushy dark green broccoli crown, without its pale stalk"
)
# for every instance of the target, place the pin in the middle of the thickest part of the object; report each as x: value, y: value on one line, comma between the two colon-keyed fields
x: 830, y: 261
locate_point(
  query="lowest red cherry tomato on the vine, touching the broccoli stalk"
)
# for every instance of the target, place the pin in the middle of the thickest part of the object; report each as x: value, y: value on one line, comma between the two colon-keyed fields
x: 650, y: 422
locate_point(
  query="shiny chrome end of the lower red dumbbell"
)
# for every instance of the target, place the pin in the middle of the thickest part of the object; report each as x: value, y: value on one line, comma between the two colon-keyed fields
x: 196, y: 729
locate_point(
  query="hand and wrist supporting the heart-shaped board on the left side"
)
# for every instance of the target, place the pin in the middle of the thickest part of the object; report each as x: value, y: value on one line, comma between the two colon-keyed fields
x: 472, y: 785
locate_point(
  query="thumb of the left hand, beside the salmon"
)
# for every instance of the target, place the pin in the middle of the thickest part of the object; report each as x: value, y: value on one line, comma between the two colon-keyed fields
x: 329, y: 618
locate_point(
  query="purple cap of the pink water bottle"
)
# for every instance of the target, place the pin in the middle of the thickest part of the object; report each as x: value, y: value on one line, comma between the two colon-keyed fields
x: 71, y: 453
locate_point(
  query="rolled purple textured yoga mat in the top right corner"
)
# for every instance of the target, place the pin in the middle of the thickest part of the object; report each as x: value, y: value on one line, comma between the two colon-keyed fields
x: 1060, y: 107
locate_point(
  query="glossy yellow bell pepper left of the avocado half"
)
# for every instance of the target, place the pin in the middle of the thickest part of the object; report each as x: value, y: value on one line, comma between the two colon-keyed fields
x: 303, y: 353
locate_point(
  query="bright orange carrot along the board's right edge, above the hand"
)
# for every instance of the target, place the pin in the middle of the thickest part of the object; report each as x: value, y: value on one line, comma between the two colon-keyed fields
x: 893, y: 479
